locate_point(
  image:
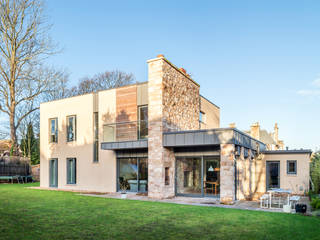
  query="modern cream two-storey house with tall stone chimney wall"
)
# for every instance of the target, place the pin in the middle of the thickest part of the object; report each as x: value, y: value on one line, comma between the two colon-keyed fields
x: 160, y: 137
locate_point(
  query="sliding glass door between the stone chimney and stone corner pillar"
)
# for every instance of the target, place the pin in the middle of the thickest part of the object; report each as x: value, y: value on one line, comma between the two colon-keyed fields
x: 198, y: 176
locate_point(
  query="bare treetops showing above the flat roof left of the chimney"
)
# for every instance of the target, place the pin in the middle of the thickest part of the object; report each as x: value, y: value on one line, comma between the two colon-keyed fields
x: 102, y: 81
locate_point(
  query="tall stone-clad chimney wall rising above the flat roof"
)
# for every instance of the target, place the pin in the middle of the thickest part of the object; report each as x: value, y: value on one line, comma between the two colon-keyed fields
x: 174, y: 104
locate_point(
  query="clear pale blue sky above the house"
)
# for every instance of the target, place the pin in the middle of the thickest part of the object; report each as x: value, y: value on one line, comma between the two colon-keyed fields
x: 257, y: 60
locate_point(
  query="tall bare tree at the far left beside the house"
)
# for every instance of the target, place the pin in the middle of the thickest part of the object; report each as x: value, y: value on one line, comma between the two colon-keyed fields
x: 24, y: 43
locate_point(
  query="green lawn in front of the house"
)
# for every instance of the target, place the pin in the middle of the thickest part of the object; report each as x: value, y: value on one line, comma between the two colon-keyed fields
x: 40, y: 214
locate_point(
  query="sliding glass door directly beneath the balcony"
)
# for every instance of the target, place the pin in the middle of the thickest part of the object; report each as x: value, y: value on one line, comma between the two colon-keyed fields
x: 133, y: 174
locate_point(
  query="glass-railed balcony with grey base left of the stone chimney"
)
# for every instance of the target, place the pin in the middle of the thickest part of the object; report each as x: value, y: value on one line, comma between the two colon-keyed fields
x: 125, y: 135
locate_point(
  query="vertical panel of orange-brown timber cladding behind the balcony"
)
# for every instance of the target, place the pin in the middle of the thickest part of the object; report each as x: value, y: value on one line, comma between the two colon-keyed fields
x: 126, y: 111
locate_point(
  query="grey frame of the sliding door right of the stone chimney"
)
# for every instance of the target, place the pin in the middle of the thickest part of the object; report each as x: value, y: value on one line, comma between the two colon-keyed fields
x: 202, y: 160
